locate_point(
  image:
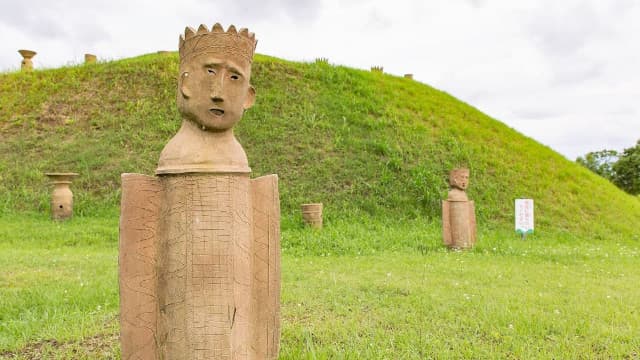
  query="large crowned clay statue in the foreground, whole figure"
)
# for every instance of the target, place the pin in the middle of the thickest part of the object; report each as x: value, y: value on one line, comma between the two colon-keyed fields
x: 200, y: 242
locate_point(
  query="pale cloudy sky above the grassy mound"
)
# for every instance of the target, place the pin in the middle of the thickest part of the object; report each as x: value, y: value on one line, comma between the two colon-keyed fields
x: 566, y: 73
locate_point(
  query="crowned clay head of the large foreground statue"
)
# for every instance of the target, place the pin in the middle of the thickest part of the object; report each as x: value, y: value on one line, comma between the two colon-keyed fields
x: 215, y: 69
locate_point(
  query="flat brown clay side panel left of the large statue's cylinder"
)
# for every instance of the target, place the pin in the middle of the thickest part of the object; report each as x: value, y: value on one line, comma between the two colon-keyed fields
x: 137, y: 257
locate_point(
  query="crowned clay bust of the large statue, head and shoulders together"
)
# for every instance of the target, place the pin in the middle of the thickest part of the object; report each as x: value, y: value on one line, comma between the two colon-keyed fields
x: 213, y: 93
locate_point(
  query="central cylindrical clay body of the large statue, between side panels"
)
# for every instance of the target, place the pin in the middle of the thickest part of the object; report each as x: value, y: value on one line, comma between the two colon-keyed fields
x: 204, y: 281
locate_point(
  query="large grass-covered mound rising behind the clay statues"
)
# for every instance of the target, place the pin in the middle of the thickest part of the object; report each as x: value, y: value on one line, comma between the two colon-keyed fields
x: 360, y: 142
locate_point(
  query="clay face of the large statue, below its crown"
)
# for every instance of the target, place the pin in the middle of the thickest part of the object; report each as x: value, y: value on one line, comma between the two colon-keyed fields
x: 213, y: 92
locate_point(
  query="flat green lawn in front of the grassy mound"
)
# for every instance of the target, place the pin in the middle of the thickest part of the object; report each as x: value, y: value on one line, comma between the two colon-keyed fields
x: 366, y: 289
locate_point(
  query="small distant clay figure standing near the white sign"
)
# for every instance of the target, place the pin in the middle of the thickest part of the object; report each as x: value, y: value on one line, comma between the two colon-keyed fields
x: 458, y: 213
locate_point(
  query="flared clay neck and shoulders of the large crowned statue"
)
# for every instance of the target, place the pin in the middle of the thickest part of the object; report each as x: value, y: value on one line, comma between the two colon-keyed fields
x: 194, y: 150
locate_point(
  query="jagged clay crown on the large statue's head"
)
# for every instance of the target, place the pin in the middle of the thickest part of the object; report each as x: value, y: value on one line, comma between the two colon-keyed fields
x: 239, y: 45
